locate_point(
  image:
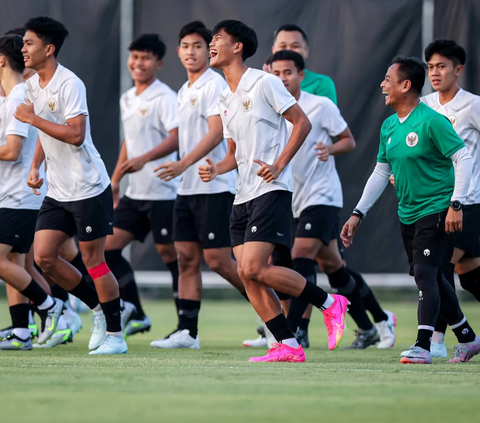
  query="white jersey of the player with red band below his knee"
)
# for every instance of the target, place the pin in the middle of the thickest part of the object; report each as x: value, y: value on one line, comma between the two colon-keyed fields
x: 74, y: 173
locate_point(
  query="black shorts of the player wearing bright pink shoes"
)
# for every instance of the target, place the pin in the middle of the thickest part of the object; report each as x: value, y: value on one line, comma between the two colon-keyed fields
x: 266, y: 218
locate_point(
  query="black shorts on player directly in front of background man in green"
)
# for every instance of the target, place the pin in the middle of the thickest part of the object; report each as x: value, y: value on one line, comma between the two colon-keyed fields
x: 319, y: 222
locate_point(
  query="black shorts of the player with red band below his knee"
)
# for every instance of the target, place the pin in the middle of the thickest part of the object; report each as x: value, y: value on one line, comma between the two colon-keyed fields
x: 89, y: 219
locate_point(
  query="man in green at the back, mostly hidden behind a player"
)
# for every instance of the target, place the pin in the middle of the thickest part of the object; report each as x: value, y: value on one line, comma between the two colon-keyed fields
x: 292, y: 37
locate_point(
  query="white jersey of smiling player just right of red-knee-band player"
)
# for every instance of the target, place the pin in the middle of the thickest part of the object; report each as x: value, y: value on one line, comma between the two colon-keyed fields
x: 147, y: 119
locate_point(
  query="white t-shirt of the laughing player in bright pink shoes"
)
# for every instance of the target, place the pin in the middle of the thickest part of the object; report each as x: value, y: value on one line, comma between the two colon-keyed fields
x: 252, y: 117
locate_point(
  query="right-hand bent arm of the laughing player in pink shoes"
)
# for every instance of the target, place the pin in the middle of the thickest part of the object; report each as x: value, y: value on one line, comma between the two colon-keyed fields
x: 301, y: 128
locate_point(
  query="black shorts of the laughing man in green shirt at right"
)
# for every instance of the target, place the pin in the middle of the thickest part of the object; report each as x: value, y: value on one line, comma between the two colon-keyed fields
x: 426, y: 241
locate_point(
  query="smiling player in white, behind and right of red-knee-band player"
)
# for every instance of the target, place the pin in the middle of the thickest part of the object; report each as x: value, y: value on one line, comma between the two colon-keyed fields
x: 150, y: 122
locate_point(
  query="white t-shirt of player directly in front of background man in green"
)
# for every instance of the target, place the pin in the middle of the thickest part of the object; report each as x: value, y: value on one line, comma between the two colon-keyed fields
x: 316, y: 182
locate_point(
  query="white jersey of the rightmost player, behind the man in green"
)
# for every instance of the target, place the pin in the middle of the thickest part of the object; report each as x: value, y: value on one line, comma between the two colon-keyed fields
x: 464, y: 113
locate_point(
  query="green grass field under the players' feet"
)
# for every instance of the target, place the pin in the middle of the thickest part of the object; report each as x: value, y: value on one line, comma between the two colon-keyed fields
x: 218, y: 384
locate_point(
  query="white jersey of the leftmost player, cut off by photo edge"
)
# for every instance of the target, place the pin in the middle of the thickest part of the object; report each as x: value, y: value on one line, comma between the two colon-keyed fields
x: 14, y: 191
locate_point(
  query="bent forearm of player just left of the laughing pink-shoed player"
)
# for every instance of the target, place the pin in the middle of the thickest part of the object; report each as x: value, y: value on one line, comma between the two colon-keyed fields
x: 214, y: 137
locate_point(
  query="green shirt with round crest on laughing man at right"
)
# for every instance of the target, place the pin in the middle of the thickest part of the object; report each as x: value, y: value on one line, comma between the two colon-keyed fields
x: 418, y: 151
